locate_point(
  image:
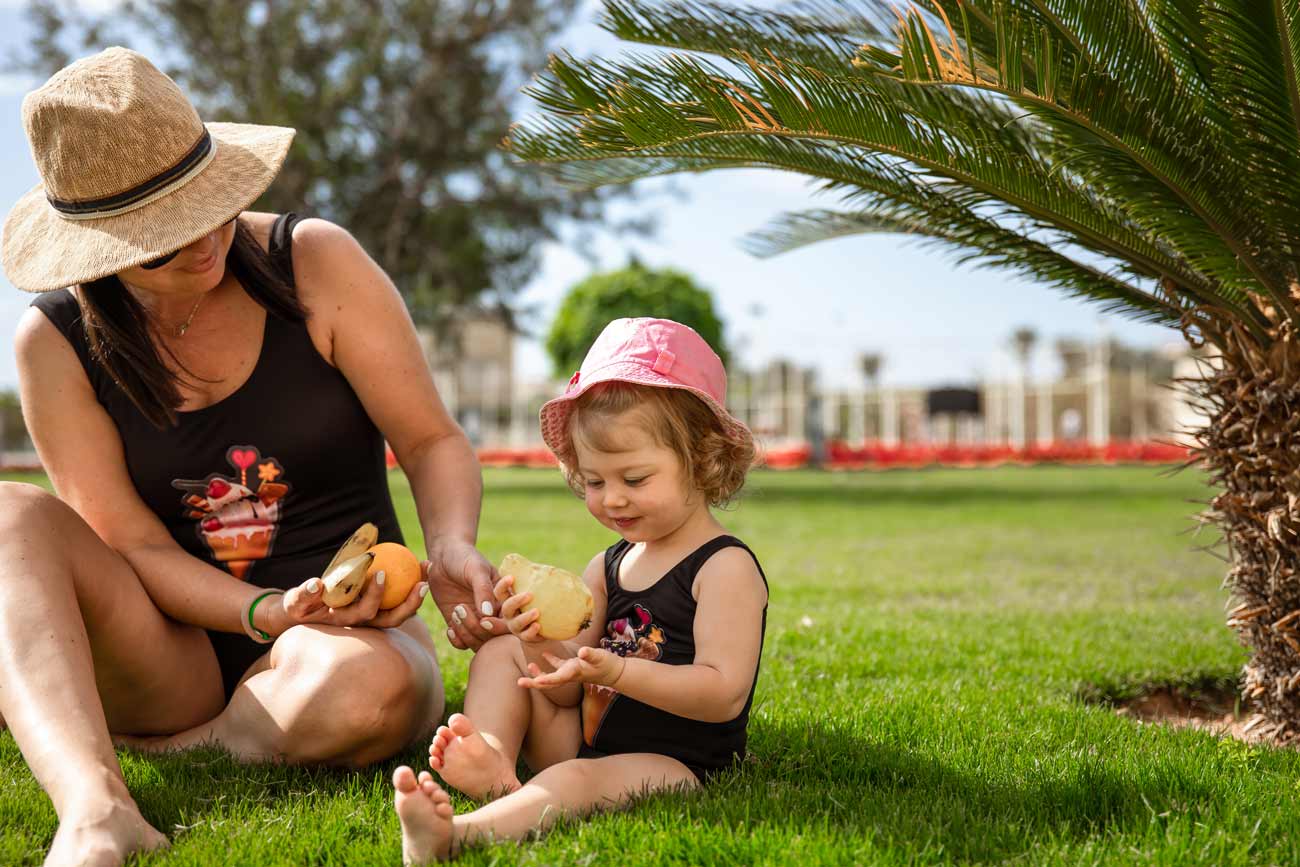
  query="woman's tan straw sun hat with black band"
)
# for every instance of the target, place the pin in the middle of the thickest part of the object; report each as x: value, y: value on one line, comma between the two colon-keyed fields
x: 129, y: 174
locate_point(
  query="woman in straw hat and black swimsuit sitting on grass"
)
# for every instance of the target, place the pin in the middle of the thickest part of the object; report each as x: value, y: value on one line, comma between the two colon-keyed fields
x: 211, y: 405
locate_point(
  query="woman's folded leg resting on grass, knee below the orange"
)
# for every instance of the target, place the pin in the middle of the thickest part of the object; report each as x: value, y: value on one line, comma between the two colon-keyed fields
x: 330, y: 696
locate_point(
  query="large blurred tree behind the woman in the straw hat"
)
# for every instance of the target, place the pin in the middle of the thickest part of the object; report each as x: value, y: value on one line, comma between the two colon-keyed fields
x: 400, y: 110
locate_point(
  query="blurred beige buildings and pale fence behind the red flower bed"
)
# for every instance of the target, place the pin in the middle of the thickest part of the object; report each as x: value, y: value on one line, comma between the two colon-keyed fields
x: 1104, y: 392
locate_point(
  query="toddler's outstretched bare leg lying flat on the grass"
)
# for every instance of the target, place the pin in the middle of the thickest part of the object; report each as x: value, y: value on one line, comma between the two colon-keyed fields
x: 569, y: 790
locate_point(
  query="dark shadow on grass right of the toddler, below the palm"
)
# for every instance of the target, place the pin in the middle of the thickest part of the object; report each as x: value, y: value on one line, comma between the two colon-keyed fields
x: 918, y: 804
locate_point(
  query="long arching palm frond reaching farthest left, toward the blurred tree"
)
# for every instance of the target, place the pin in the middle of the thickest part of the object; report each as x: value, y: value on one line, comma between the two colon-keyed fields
x: 691, y: 106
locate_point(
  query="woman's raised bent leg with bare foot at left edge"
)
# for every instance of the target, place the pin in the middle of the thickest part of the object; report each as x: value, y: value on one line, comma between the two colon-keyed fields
x: 84, y: 649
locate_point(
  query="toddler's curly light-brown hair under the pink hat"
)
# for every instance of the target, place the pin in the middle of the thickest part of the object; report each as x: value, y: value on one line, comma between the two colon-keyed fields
x: 714, y: 463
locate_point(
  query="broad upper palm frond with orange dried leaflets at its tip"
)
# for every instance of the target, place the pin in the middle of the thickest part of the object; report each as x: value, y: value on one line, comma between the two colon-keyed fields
x: 1167, y: 161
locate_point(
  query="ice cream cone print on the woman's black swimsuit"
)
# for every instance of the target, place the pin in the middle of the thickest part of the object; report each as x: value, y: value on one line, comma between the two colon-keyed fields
x: 237, y: 522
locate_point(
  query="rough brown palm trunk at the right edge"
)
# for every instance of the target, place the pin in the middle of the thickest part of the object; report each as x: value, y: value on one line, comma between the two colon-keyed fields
x: 1251, y: 448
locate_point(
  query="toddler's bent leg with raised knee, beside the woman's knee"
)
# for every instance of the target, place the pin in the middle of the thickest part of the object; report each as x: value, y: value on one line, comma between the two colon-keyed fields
x: 478, y: 752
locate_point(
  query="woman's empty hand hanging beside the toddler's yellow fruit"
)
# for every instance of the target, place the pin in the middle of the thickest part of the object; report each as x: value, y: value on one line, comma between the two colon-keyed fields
x: 462, y: 580
